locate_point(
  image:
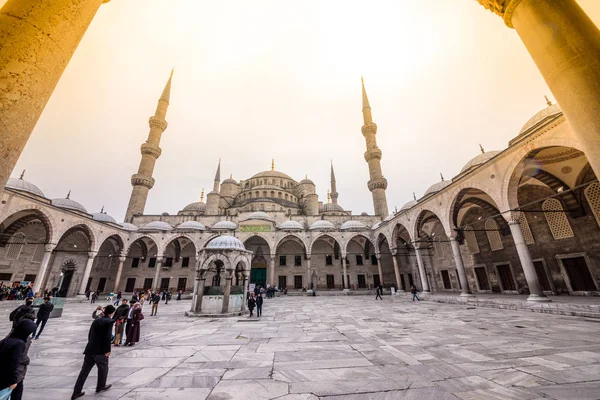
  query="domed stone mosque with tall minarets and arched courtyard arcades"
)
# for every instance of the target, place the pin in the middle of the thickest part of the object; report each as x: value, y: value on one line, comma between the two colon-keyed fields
x: 522, y: 220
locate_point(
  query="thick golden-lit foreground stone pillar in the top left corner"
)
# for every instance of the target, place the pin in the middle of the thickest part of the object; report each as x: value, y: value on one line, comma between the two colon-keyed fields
x: 37, y: 40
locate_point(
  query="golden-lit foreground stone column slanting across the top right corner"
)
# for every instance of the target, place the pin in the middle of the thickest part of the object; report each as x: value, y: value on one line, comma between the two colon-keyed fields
x: 565, y: 45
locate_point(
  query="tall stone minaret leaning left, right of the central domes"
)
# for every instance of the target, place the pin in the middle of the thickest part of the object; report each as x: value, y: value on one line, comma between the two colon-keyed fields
x: 377, y: 184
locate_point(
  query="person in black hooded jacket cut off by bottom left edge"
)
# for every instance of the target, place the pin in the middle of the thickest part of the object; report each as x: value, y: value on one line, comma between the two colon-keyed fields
x: 13, y: 350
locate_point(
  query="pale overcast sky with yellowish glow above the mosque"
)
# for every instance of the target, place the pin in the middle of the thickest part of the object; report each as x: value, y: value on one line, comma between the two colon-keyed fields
x: 256, y: 80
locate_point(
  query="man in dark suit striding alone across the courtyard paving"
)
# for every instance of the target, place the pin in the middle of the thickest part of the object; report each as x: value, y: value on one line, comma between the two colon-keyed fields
x: 96, y: 353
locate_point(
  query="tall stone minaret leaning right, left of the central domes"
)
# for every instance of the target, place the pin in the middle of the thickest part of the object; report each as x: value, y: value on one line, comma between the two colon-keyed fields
x: 143, y: 181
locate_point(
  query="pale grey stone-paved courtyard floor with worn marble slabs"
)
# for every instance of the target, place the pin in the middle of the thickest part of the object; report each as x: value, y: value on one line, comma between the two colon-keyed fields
x: 332, y: 348
